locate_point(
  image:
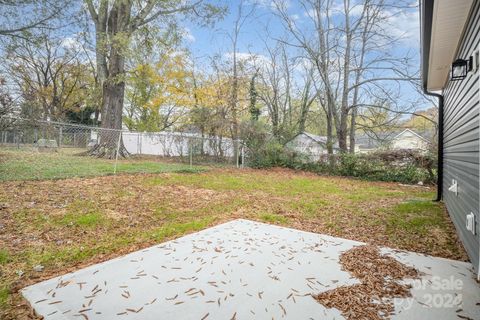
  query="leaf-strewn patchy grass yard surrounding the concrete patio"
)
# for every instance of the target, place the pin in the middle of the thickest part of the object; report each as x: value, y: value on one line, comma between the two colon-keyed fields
x: 63, y: 225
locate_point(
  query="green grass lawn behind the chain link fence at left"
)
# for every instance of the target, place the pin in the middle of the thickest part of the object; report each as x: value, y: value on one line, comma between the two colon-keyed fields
x: 27, y: 164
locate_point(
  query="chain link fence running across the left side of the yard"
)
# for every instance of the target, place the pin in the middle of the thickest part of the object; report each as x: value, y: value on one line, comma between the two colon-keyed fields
x: 38, y: 149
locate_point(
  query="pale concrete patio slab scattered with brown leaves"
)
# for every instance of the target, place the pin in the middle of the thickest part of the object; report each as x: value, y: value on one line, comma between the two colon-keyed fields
x: 243, y: 270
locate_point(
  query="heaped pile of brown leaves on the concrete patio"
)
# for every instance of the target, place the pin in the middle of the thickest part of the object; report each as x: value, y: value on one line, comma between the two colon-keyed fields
x: 380, y: 277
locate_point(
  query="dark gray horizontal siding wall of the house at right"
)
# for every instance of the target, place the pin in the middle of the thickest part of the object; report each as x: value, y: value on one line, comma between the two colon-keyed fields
x: 461, y: 141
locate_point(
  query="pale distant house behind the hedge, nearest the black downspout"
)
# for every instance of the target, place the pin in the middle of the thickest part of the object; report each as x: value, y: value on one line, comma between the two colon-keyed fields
x: 404, y: 140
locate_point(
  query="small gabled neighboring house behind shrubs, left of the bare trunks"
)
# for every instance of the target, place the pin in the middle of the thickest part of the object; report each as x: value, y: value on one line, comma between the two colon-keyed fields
x: 310, y: 145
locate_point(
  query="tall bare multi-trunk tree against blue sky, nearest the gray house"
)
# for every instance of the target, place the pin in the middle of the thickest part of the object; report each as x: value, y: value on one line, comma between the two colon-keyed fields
x: 350, y: 52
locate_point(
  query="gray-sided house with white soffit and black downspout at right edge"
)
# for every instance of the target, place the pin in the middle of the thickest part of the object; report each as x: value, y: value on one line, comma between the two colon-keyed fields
x: 450, y: 33
